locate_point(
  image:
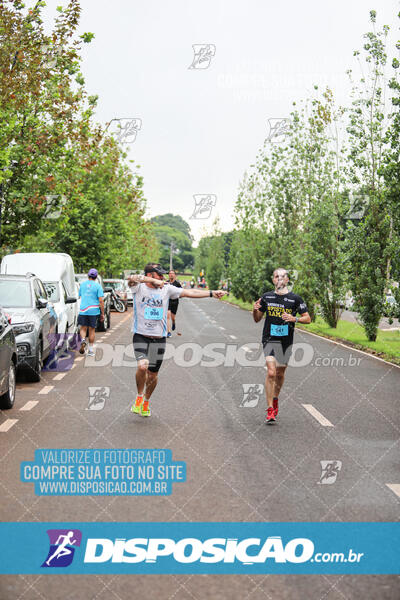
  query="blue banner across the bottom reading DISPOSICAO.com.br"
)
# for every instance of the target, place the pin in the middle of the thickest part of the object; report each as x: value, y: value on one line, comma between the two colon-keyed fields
x: 208, y: 548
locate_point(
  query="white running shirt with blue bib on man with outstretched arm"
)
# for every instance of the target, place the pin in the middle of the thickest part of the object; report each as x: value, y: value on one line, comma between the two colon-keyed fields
x: 150, y: 308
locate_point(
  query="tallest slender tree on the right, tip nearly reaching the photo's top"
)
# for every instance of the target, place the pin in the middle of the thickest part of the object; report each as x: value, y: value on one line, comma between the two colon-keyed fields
x: 370, y: 245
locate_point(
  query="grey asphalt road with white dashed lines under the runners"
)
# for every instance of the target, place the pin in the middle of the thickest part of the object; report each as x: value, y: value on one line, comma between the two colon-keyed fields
x: 238, y: 468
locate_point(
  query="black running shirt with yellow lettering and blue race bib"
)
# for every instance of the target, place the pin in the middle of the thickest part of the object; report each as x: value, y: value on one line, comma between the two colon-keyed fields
x: 274, y: 305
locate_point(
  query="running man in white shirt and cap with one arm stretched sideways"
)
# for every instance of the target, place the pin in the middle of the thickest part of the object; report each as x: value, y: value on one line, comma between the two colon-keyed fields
x: 151, y: 295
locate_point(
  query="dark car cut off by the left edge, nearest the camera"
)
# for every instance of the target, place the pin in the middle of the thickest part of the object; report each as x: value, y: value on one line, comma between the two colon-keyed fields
x: 8, y: 361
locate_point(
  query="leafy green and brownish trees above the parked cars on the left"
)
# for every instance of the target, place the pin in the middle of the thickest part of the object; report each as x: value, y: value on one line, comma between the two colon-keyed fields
x: 50, y: 148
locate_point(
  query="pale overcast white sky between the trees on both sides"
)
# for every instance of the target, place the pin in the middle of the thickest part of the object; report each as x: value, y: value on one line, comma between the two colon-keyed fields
x: 199, y: 129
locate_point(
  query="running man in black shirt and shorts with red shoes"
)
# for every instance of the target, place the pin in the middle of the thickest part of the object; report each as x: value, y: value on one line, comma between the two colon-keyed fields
x: 280, y: 307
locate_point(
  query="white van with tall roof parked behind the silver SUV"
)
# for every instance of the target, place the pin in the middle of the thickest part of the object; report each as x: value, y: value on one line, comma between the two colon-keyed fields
x: 56, y: 271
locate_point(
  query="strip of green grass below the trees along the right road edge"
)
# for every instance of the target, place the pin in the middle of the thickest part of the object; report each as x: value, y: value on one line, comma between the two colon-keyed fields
x: 386, y: 346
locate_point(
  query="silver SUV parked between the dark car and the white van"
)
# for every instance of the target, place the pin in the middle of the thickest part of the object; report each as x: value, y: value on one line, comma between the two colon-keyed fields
x: 33, y: 320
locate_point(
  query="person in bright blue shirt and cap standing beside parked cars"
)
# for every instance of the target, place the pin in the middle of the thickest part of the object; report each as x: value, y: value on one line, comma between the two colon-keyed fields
x: 92, y: 305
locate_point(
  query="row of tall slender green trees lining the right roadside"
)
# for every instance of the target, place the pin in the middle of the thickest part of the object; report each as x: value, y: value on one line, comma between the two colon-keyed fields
x: 325, y: 209
